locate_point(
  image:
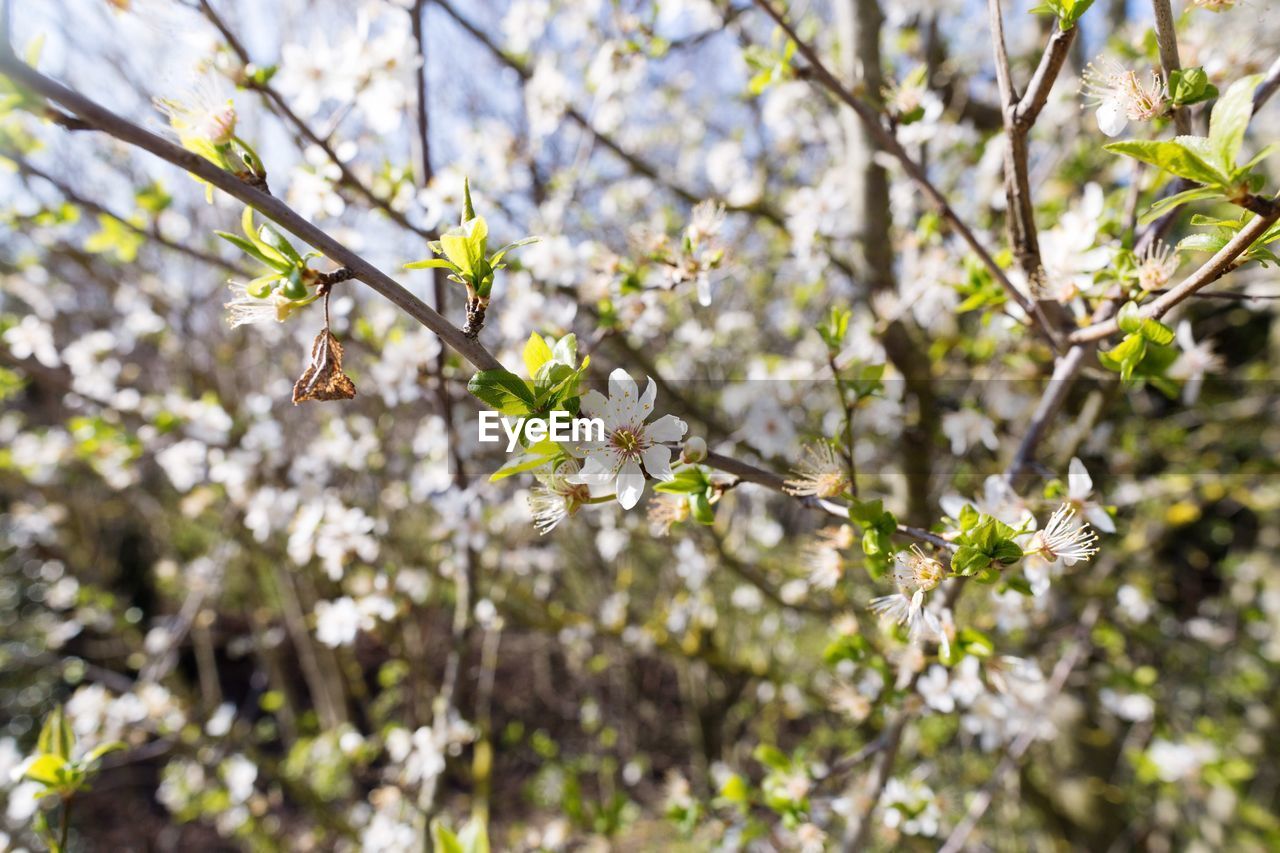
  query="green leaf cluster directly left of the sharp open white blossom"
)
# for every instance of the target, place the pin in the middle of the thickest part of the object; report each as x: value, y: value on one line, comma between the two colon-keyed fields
x: 555, y: 377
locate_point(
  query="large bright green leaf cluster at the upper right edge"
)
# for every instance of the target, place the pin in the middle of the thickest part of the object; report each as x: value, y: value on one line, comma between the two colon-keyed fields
x: 1210, y: 161
